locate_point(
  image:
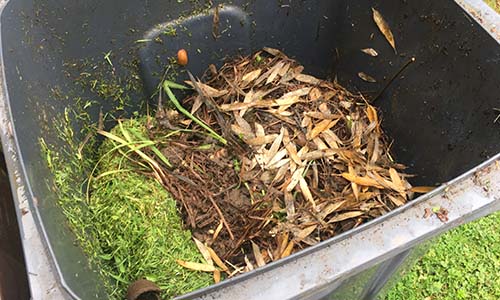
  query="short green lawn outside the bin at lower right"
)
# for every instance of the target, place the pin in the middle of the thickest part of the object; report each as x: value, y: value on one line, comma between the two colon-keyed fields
x: 462, y: 264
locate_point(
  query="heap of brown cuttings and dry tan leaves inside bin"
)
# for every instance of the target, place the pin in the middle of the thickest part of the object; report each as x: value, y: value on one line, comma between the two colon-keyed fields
x: 265, y: 161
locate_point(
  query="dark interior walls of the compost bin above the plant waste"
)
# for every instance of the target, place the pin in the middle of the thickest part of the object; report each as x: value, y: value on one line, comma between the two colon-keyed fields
x: 439, y: 111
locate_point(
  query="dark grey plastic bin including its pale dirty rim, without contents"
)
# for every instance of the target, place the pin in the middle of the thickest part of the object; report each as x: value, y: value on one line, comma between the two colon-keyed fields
x: 439, y: 111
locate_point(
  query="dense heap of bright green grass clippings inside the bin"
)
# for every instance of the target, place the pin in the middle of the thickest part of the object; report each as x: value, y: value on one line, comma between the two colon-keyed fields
x: 137, y: 225
